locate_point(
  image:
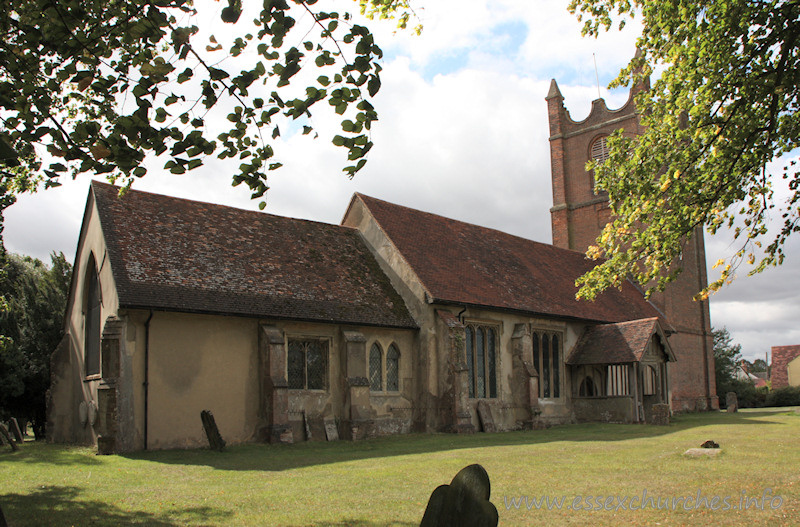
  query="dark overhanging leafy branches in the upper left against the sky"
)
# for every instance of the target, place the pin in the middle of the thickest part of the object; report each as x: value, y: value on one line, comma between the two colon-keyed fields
x: 97, y: 86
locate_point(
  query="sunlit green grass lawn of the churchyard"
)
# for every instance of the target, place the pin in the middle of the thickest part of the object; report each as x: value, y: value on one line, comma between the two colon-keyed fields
x: 388, y: 481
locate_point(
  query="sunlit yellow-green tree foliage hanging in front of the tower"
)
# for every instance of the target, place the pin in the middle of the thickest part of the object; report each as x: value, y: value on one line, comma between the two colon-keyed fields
x: 724, y: 107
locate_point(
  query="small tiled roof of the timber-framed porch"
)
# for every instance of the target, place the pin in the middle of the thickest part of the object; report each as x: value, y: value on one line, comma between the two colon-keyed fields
x: 618, y: 343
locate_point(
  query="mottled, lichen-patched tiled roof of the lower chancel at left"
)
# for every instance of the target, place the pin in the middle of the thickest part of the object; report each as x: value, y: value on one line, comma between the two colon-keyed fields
x: 176, y: 254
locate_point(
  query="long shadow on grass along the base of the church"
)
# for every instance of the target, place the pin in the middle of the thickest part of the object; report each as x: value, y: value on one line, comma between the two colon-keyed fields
x: 260, y: 457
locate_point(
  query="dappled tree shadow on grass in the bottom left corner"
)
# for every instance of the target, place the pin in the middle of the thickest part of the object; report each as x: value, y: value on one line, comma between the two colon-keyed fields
x: 56, y: 505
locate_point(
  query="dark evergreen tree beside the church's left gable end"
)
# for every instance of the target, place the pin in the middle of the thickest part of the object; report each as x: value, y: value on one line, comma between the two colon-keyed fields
x: 32, y: 326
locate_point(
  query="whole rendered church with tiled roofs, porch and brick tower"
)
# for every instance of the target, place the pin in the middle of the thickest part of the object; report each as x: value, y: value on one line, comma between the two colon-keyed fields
x: 395, y: 321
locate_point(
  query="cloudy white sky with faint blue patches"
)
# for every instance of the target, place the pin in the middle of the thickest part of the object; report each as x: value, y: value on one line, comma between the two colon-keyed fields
x: 462, y: 133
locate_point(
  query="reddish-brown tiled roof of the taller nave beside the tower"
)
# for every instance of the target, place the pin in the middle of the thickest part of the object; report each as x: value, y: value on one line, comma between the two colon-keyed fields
x: 461, y: 263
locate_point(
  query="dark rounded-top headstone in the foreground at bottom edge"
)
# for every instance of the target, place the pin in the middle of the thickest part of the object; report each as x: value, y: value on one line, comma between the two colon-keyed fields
x: 462, y: 503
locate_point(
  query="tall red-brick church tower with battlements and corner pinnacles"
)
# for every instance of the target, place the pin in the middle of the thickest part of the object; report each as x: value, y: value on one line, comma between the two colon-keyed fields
x: 579, y: 215
